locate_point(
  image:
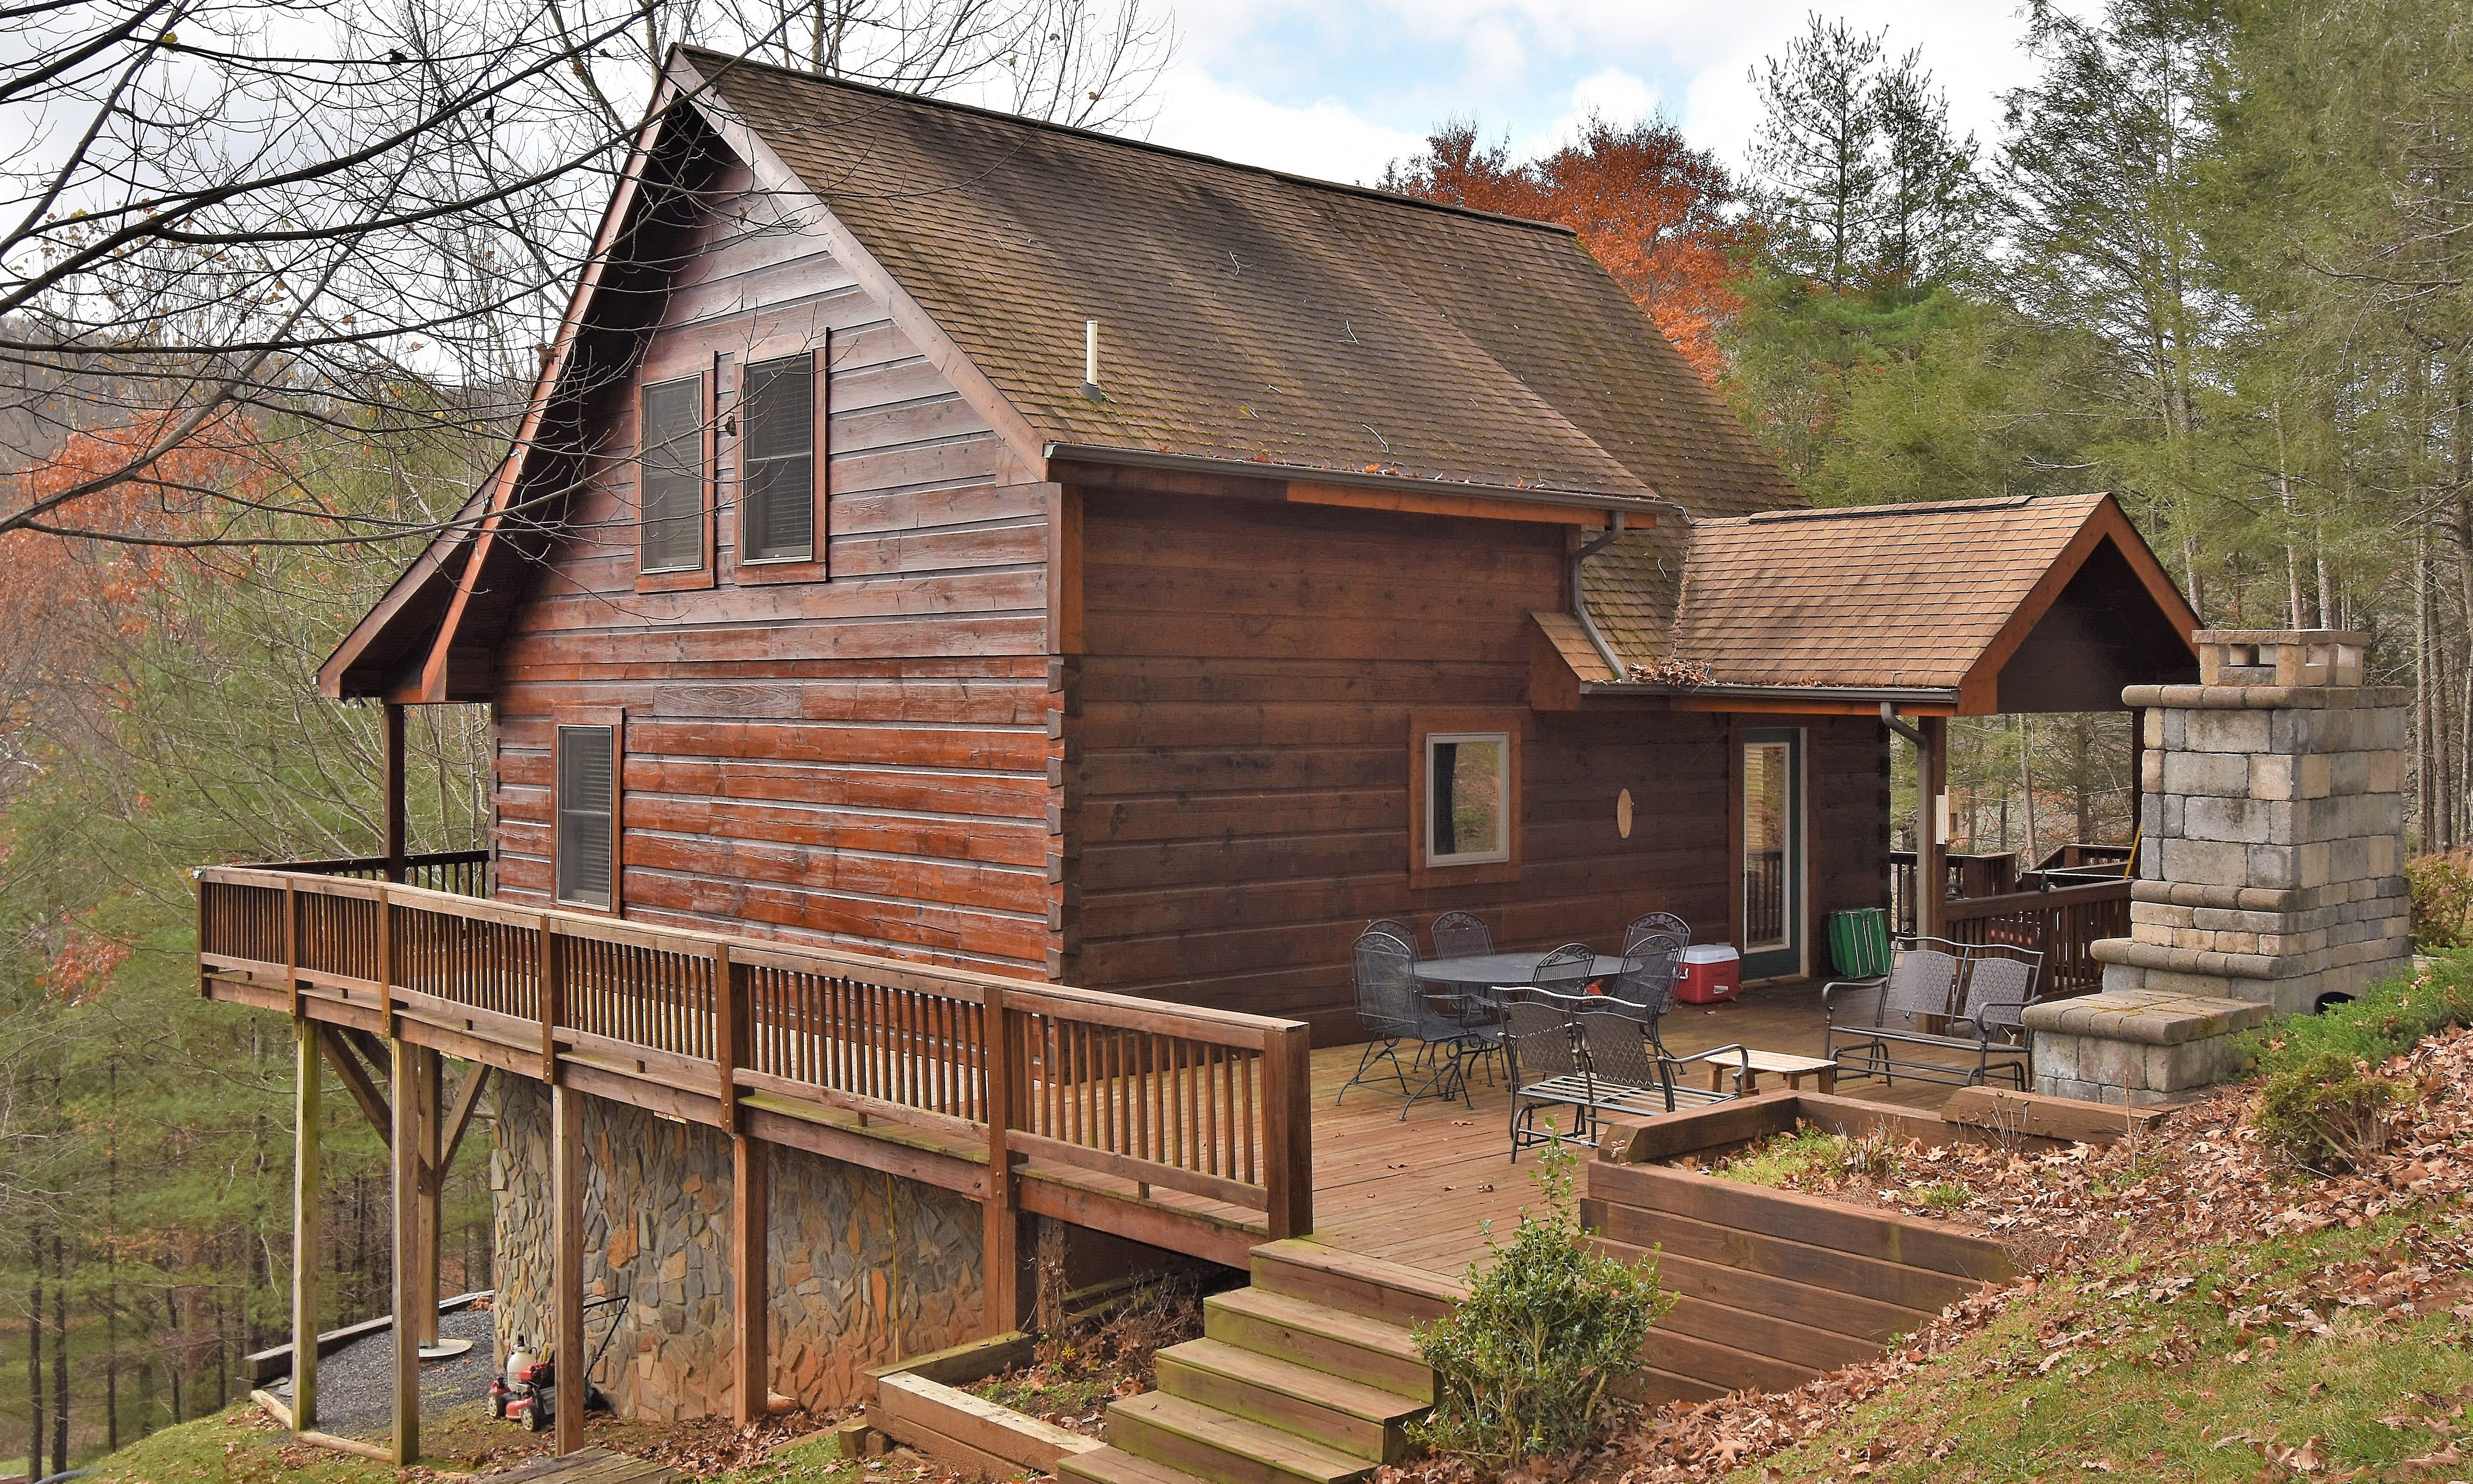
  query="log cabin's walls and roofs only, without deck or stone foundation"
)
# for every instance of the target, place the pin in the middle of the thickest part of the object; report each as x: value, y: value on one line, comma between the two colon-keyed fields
x: 990, y: 543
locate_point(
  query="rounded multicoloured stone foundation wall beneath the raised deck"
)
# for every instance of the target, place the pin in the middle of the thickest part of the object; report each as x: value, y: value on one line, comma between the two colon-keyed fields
x: 867, y: 1268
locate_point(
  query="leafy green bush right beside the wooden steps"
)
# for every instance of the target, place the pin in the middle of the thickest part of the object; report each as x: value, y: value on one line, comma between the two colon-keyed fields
x: 1525, y: 1364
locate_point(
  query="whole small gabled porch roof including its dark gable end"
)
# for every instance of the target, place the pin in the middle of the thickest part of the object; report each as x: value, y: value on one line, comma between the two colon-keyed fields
x: 1977, y: 605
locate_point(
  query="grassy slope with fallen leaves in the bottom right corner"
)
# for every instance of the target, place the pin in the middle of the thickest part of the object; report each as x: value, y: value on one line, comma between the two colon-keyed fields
x: 2158, y: 1384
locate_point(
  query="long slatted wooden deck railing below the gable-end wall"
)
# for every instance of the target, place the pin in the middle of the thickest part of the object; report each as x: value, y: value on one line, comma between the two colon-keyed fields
x: 1168, y: 1097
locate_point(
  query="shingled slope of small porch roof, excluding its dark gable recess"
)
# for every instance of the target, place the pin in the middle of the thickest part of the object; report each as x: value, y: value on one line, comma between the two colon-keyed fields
x: 1918, y: 597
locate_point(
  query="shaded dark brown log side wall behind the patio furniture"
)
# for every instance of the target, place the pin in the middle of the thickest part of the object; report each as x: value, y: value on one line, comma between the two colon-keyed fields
x: 1243, y: 736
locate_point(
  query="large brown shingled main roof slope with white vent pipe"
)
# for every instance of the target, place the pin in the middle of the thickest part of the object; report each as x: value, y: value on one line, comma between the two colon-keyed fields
x: 1253, y: 315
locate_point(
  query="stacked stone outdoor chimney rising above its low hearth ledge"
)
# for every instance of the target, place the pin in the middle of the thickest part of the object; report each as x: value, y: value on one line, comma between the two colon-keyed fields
x: 2271, y: 827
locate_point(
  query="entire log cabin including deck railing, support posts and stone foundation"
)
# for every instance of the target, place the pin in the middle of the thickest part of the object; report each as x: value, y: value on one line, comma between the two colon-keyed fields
x: 978, y: 617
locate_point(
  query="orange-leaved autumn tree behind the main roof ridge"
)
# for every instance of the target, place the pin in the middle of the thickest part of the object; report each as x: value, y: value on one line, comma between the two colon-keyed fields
x: 1648, y: 207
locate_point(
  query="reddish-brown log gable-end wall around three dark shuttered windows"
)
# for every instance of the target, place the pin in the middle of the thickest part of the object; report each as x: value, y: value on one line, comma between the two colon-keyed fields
x: 859, y: 761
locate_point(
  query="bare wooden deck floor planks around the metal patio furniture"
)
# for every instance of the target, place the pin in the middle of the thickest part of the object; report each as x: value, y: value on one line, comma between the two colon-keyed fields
x: 1423, y: 1191
